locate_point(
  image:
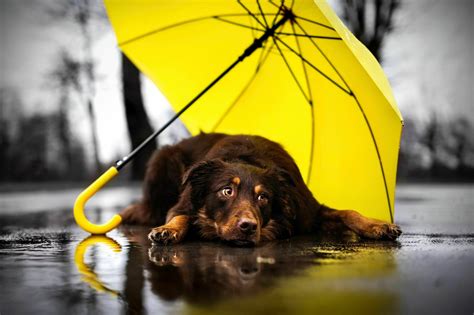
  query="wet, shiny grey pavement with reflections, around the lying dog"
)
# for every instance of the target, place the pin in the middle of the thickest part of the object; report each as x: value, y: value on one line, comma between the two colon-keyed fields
x: 49, y: 266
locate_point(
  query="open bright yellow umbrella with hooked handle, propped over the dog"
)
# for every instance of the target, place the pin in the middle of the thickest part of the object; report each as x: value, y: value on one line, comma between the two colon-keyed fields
x: 288, y: 71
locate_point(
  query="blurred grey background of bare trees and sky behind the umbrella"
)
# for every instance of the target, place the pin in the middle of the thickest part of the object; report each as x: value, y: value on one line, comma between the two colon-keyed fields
x: 71, y: 104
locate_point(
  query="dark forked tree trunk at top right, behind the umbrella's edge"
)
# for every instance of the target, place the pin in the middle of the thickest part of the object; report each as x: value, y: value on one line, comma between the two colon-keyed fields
x: 370, y: 21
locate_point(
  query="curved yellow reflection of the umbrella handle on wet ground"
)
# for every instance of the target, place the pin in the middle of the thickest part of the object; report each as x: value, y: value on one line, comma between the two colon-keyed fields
x: 88, y: 275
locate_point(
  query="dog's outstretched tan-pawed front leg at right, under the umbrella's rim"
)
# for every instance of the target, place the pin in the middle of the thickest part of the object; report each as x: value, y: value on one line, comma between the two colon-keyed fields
x: 363, y: 226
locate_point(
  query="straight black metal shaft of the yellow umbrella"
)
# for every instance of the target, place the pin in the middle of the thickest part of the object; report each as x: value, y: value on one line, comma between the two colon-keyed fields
x: 247, y: 52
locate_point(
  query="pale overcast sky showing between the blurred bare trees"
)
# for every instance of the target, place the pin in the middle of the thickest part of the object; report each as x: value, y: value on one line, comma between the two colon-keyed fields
x: 428, y: 59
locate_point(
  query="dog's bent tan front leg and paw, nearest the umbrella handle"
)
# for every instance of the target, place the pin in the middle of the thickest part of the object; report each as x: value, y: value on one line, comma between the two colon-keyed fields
x: 177, y: 224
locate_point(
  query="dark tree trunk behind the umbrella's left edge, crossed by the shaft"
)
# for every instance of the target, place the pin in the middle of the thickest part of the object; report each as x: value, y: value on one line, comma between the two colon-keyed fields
x: 137, y: 120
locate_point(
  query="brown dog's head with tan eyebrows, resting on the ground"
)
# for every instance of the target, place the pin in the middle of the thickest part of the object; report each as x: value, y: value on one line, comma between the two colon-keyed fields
x: 235, y: 200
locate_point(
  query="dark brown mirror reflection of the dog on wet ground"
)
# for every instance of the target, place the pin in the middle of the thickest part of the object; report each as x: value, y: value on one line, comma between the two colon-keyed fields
x: 205, y: 272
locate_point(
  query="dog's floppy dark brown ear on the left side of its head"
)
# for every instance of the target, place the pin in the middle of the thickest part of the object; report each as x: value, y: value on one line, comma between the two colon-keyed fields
x: 199, y: 176
